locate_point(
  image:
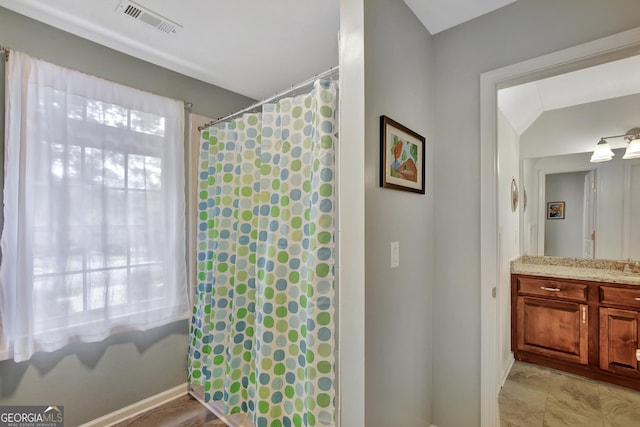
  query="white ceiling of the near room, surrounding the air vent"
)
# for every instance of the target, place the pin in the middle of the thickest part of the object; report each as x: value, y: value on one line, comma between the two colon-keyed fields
x: 252, y: 47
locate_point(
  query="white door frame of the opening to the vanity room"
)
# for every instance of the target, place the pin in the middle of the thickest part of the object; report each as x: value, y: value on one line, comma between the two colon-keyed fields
x: 606, y: 49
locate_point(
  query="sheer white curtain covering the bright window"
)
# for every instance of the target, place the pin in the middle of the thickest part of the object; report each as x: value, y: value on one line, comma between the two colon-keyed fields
x: 94, y: 238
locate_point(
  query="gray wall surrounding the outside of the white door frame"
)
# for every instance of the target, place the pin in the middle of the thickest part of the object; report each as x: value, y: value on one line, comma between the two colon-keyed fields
x: 522, y: 30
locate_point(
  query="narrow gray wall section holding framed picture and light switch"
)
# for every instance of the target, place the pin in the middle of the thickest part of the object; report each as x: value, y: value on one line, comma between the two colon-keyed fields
x: 398, y: 302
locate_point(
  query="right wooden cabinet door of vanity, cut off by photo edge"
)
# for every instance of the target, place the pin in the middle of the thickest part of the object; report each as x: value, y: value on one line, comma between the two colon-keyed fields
x: 619, y: 339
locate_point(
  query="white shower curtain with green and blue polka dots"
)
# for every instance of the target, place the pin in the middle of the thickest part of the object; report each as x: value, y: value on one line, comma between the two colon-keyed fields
x: 262, y: 330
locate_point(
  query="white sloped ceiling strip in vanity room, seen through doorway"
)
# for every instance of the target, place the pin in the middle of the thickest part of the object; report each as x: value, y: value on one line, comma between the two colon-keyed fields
x: 523, y: 104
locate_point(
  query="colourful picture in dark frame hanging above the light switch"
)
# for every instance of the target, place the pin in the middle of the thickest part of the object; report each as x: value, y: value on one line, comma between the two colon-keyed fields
x: 402, y: 157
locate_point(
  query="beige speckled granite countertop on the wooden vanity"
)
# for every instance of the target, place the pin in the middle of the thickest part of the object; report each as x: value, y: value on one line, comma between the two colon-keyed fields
x: 627, y: 272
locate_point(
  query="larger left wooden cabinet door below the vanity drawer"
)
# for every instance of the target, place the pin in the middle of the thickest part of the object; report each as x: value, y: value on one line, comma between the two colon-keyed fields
x: 553, y: 328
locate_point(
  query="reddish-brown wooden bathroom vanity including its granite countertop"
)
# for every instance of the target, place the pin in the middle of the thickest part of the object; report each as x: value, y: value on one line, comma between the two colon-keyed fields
x: 576, y: 315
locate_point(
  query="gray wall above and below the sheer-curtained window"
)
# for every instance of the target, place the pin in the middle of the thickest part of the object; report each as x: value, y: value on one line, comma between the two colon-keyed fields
x: 91, y: 380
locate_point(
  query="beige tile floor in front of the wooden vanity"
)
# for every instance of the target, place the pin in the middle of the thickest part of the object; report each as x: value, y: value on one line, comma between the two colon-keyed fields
x: 534, y: 396
